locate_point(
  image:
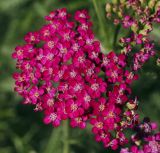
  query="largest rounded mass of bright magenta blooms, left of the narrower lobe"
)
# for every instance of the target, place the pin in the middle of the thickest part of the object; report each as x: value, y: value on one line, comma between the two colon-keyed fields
x: 57, y: 73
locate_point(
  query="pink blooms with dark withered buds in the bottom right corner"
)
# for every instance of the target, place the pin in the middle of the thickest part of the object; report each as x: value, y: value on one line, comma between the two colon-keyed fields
x: 144, y: 135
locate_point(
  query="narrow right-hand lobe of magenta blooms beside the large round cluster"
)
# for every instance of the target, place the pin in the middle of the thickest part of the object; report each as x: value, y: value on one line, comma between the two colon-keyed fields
x: 117, y: 111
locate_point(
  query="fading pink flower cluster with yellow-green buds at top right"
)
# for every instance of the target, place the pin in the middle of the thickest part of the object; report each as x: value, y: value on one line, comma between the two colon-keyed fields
x: 137, y: 16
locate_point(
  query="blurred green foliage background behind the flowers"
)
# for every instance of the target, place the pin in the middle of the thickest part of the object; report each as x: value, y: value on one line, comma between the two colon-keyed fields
x: 22, y: 130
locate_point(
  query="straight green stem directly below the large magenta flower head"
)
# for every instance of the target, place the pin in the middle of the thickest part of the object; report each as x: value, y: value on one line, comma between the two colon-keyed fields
x: 66, y: 147
